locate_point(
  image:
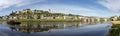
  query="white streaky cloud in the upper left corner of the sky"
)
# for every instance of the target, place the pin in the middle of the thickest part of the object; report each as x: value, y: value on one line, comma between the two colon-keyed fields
x: 16, y: 3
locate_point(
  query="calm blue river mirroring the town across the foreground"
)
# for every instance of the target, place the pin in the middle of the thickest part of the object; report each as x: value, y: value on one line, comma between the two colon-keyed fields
x: 55, y: 29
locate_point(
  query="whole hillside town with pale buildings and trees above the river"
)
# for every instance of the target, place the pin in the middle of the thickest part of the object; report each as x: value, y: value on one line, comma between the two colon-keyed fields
x: 40, y: 15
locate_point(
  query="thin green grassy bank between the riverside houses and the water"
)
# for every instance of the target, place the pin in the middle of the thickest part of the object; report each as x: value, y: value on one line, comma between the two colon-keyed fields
x: 43, y: 20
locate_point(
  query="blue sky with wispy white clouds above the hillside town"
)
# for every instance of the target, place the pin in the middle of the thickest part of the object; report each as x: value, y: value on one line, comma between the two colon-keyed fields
x: 100, y: 8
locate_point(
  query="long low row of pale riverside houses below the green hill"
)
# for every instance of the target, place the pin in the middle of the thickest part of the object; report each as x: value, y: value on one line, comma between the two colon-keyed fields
x: 82, y: 18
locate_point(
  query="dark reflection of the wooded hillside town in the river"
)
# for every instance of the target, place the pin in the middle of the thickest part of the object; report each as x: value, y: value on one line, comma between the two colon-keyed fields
x: 29, y: 27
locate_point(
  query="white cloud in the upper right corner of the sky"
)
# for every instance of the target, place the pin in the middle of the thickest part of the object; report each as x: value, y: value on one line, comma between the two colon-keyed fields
x: 113, y: 5
